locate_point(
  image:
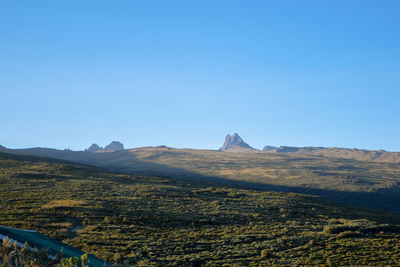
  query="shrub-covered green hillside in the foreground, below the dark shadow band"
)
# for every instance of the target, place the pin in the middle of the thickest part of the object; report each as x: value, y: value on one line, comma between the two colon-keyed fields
x: 165, y: 221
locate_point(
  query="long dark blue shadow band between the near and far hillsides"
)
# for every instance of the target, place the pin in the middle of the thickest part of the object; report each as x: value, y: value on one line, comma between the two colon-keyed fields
x: 124, y: 161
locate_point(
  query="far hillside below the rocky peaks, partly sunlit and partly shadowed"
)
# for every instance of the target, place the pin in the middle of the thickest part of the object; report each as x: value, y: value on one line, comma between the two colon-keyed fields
x: 361, y: 183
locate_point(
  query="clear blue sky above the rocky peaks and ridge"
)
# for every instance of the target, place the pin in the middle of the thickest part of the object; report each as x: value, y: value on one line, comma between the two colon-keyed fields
x: 186, y: 73
